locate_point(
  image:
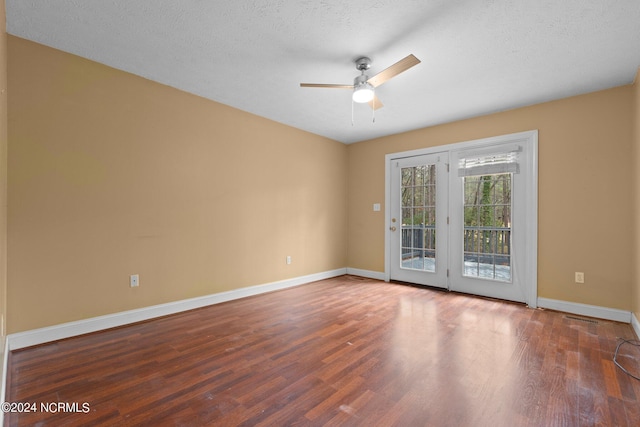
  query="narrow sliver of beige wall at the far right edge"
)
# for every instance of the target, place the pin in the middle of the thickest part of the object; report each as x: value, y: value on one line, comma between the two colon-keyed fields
x: 636, y: 211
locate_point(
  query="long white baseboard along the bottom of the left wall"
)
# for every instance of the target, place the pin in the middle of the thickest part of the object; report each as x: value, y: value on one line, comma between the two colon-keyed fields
x: 70, y: 329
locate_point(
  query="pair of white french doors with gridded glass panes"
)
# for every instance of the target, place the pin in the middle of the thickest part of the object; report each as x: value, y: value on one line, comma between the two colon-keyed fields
x: 464, y: 217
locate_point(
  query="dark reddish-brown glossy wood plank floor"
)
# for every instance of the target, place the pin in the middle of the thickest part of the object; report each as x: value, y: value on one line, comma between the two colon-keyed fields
x: 344, y: 351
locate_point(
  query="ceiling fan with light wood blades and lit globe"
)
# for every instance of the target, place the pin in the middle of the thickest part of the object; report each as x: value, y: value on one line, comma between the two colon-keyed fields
x: 363, y: 86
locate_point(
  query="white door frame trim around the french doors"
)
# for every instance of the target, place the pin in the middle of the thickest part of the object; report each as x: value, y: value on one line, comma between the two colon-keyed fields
x: 530, y: 138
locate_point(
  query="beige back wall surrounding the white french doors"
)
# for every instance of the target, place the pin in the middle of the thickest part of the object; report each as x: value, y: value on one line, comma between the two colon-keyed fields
x: 585, y: 209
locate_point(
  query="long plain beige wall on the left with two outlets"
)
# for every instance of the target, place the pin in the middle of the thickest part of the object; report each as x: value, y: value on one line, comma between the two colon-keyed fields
x: 111, y: 175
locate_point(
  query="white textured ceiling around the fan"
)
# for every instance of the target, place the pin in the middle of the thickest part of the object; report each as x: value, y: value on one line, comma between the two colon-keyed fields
x: 477, y: 57
